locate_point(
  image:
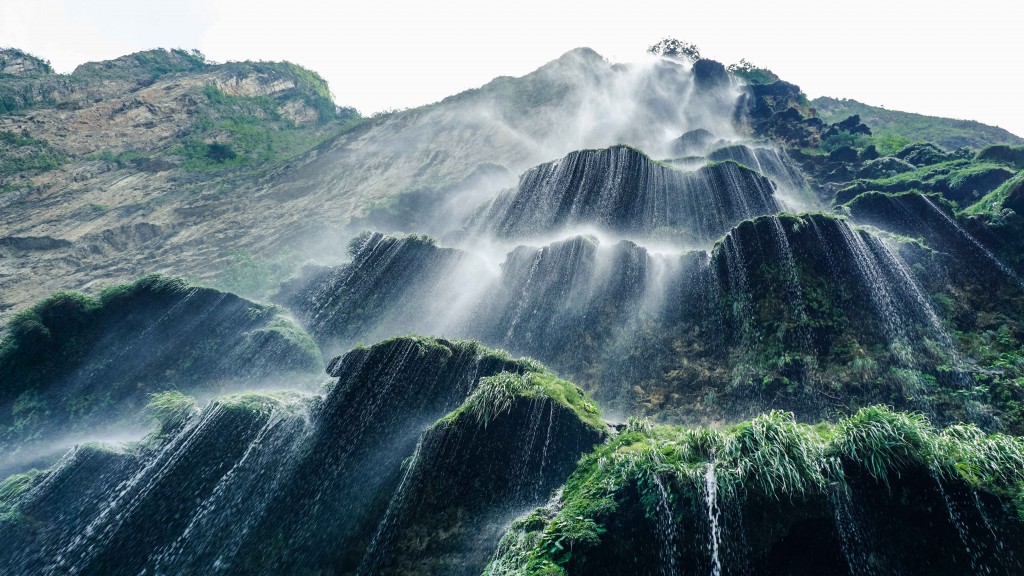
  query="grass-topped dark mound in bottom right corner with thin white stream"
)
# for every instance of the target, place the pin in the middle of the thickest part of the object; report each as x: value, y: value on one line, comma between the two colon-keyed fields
x: 881, y: 492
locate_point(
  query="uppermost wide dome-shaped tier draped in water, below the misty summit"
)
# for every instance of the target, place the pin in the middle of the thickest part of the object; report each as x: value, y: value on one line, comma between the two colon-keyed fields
x: 623, y: 191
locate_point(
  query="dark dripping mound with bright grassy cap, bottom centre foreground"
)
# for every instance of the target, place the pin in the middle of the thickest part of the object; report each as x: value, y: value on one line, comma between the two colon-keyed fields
x: 516, y: 439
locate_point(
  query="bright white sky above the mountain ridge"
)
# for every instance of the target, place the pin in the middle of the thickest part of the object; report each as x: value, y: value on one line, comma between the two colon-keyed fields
x: 943, y: 58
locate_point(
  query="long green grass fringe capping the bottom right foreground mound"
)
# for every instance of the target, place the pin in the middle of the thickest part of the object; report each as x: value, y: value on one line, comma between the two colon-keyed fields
x: 772, y: 457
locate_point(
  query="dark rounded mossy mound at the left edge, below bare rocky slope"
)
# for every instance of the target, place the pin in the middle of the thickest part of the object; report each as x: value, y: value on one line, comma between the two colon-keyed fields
x: 73, y: 362
